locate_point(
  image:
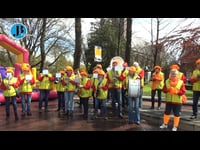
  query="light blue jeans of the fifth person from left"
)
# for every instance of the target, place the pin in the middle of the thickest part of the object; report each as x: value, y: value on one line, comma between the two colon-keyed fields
x: 69, y: 101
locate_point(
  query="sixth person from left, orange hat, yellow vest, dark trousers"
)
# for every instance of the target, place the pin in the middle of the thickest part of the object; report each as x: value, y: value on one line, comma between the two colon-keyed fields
x: 84, y: 92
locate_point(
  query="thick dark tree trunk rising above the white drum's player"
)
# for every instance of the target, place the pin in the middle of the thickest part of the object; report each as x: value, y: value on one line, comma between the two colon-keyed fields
x: 128, y: 40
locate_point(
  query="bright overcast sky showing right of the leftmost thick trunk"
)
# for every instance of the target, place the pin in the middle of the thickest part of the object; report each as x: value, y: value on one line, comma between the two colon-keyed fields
x: 142, y: 26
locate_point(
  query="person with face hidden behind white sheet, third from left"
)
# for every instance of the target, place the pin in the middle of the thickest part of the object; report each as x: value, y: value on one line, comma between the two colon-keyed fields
x: 45, y: 79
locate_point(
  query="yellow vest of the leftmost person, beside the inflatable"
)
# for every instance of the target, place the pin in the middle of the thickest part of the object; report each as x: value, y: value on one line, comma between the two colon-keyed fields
x: 11, y: 91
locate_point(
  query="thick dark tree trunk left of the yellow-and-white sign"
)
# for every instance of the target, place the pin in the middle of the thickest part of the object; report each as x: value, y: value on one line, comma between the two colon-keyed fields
x: 78, y: 42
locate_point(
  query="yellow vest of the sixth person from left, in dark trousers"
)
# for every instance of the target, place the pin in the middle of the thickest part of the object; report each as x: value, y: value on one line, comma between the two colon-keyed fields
x: 84, y: 93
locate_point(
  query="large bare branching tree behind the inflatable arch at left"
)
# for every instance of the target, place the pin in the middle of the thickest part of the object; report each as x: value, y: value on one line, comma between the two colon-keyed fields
x: 44, y: 34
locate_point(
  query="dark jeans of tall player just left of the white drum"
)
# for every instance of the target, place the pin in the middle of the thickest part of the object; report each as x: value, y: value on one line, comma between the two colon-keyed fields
x: 116, y: 95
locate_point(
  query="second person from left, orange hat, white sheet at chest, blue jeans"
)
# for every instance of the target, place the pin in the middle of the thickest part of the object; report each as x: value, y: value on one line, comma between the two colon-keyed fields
x: 26, y: 81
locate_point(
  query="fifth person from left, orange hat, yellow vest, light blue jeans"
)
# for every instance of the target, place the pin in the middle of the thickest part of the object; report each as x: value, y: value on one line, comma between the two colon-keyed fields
x: 69, y: 82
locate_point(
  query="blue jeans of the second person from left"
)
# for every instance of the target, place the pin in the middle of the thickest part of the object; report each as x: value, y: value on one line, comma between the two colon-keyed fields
x: 28, y: 98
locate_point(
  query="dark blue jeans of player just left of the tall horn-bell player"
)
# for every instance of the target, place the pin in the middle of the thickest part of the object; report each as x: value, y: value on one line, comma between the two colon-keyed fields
x: 102, y: 103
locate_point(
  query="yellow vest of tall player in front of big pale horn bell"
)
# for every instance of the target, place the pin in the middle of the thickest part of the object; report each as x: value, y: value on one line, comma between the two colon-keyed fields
x: 117, y: 84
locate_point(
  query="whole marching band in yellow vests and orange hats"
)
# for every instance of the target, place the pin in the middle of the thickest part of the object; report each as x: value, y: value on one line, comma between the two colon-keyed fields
x: 128, y: 81
